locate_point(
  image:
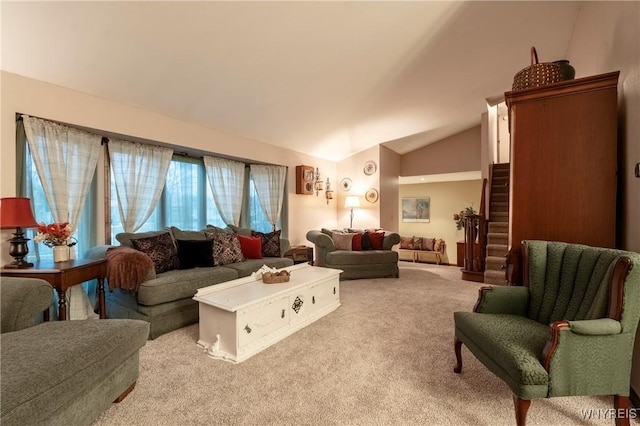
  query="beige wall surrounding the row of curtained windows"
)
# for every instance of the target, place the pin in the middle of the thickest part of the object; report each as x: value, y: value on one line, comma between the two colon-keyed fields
x: 24, y: 95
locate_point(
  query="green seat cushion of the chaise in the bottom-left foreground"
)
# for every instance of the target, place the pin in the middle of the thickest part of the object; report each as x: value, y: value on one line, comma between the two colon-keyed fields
x: 46, y: 366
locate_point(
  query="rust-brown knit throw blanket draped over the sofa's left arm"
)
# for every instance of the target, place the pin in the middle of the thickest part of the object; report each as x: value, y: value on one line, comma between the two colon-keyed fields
x: 127, y: 268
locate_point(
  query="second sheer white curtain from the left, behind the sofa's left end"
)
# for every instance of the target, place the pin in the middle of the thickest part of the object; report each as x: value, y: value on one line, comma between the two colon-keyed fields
x: 139, y: 172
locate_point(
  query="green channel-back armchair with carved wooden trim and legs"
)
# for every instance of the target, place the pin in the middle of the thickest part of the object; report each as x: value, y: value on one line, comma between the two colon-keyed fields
x: 569, y: 330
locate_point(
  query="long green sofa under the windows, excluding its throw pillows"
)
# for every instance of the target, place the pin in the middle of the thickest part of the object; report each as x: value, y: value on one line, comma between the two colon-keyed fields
x: 165, y: 299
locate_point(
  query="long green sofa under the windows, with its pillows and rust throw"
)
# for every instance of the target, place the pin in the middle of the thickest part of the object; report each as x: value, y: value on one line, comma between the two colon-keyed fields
x: 165, y: 299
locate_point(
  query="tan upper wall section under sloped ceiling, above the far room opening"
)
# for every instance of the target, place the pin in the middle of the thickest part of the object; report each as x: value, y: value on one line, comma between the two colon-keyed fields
x: 457, y: 153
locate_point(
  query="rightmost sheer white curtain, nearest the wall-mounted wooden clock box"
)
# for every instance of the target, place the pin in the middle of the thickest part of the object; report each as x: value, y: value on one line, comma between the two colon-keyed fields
x: 269, y: 182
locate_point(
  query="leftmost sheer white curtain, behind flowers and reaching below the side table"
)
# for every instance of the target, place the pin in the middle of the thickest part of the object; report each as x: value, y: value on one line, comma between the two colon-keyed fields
x: 65, y: 159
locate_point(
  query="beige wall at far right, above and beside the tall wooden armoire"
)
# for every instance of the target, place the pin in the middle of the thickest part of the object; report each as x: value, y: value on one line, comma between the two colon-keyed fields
x: 606, y: 38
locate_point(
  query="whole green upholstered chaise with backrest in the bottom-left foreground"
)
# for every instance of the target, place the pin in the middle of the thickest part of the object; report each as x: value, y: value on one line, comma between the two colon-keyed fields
x: 61, y: 372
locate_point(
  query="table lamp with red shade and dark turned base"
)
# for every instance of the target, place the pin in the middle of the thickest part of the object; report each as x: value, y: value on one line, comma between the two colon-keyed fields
x: 15, y: 212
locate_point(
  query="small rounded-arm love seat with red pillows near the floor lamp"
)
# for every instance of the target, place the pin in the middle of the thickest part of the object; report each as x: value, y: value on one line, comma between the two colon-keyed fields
x: 336, y: 249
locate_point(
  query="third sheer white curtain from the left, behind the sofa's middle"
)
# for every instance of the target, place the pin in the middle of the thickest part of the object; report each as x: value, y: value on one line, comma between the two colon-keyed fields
x: 226, y: 178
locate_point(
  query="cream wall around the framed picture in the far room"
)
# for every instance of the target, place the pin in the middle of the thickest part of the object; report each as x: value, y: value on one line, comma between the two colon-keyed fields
x: 446, y: 199
